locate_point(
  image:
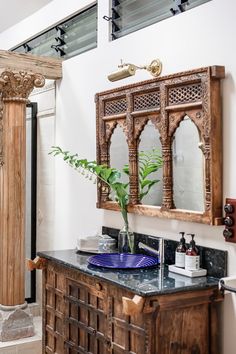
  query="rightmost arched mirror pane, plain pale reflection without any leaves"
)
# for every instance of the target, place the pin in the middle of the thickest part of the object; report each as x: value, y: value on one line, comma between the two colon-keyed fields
x: 188, y: 167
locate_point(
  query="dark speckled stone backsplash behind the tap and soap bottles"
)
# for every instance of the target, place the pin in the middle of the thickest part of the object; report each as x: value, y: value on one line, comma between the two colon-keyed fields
x: 214, y: 260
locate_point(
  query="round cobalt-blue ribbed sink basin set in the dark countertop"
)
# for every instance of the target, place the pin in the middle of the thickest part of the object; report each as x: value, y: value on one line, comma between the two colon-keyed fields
x: 122, y: 260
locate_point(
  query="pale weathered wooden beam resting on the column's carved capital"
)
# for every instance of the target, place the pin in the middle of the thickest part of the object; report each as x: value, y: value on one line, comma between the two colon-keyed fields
x: 50, y: 68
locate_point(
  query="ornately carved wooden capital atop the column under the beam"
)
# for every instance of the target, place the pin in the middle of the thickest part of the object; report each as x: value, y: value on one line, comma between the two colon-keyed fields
x: 17, y: 86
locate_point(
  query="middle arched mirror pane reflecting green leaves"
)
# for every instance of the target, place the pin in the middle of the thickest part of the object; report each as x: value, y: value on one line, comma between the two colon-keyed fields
x: 150, y: 166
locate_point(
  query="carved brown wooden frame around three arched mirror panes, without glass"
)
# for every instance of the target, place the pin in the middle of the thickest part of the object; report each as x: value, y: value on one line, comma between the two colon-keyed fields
x: 165, y: 101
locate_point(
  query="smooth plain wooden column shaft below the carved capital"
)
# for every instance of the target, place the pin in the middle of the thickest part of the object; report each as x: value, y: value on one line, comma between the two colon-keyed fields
x: 12, y: 201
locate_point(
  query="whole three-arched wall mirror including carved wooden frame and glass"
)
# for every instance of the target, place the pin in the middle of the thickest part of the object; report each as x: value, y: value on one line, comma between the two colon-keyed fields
x: 178, y: 115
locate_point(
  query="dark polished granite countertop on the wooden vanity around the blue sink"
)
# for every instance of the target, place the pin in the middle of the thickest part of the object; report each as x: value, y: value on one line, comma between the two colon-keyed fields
x: 144, y: 282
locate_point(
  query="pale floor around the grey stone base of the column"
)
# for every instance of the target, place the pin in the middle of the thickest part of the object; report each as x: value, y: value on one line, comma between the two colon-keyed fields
x: 31, y: 345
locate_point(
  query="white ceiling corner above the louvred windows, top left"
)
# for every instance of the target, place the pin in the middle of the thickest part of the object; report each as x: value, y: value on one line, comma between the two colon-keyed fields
x: 14, y: 11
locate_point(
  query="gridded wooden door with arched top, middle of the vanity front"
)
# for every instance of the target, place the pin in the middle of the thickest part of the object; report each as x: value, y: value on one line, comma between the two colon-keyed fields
x: 86, y: 318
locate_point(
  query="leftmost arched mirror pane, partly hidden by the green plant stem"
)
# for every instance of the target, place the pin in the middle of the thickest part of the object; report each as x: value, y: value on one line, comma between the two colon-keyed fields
x: 119, y: 154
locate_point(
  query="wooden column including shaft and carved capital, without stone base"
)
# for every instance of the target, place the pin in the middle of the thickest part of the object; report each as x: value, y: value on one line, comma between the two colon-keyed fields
x: 15, y: 88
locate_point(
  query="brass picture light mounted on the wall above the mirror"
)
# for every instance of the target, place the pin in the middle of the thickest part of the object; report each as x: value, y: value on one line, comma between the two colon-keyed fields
x: 127, y: 69
